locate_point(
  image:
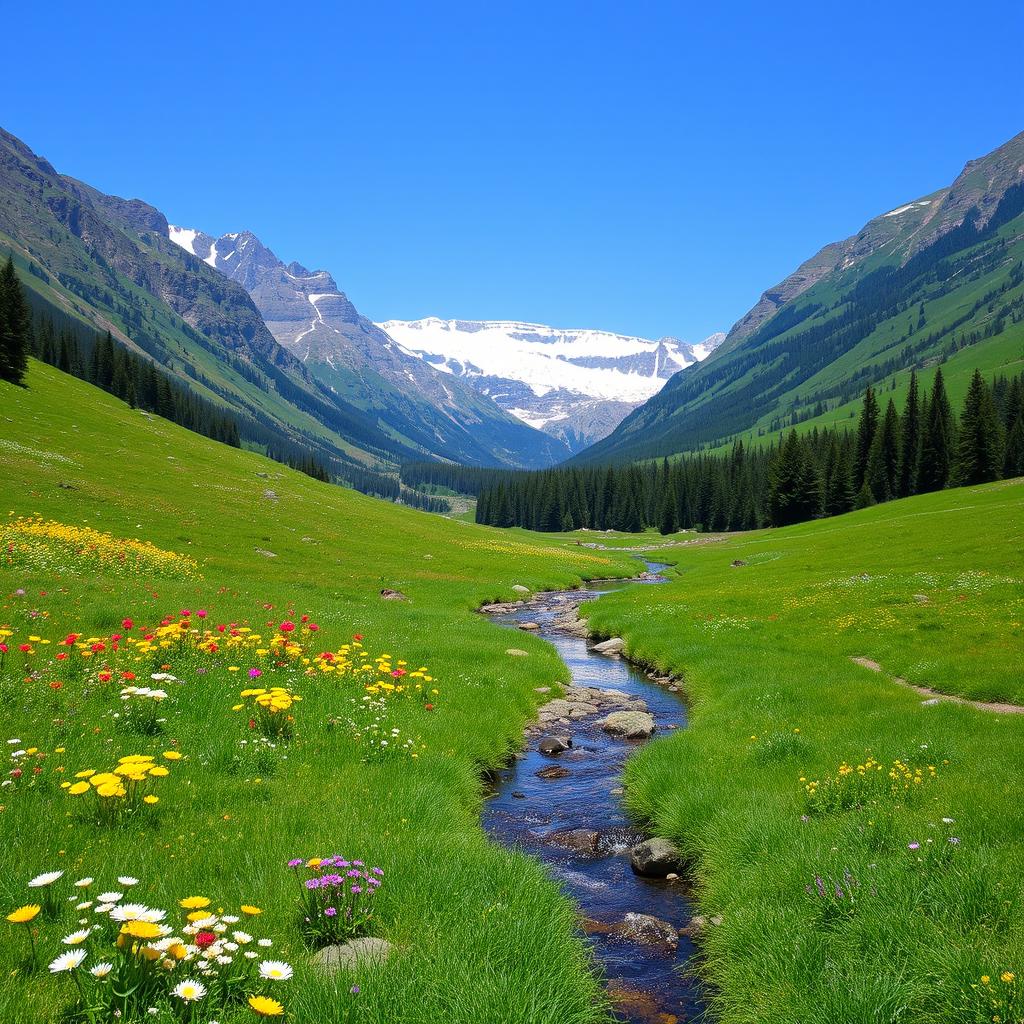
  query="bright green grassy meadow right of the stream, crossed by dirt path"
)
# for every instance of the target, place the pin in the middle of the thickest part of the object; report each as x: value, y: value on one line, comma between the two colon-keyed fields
x: 765, y: 650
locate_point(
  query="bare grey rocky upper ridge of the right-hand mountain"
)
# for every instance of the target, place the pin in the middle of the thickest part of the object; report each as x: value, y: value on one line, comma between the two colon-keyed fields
x: 902, y: 232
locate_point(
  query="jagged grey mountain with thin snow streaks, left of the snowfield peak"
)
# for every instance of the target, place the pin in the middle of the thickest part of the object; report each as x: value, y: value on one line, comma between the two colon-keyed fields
x: 316, y: 322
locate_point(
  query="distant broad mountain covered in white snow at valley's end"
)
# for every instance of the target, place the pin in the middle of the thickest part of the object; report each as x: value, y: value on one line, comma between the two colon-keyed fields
x: 576, y: 386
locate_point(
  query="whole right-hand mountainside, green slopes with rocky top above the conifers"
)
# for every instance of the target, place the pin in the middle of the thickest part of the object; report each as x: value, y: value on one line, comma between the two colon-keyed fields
x: 918, y: 285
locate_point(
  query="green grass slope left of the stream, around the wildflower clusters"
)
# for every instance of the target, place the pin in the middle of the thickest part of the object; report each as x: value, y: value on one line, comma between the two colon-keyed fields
x: 485, y: 936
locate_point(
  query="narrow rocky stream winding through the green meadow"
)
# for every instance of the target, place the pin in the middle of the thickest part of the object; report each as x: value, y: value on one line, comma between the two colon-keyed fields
x: 554, y: 819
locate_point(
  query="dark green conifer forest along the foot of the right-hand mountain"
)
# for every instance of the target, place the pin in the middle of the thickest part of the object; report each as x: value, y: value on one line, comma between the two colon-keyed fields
x: 802, y: 477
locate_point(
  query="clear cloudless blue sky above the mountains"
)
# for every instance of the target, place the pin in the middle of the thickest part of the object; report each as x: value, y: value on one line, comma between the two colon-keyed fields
x: 642, y: 167
